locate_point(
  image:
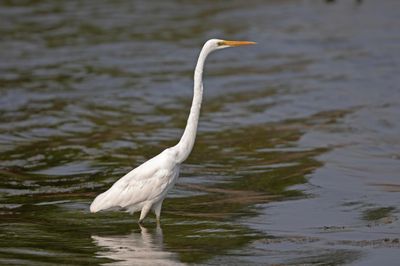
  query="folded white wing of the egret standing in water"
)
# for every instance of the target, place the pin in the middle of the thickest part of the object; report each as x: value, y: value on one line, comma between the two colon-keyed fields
x: 143, y: 183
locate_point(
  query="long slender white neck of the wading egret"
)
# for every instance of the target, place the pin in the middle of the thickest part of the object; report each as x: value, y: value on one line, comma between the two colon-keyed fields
x: 185, y: 145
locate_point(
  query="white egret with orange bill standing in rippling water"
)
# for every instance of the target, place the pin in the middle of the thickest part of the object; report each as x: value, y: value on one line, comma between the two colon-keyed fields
x: 145, y: 187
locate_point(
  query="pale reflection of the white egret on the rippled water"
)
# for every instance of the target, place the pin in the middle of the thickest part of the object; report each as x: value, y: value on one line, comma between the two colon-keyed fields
x: 144, y: 248
